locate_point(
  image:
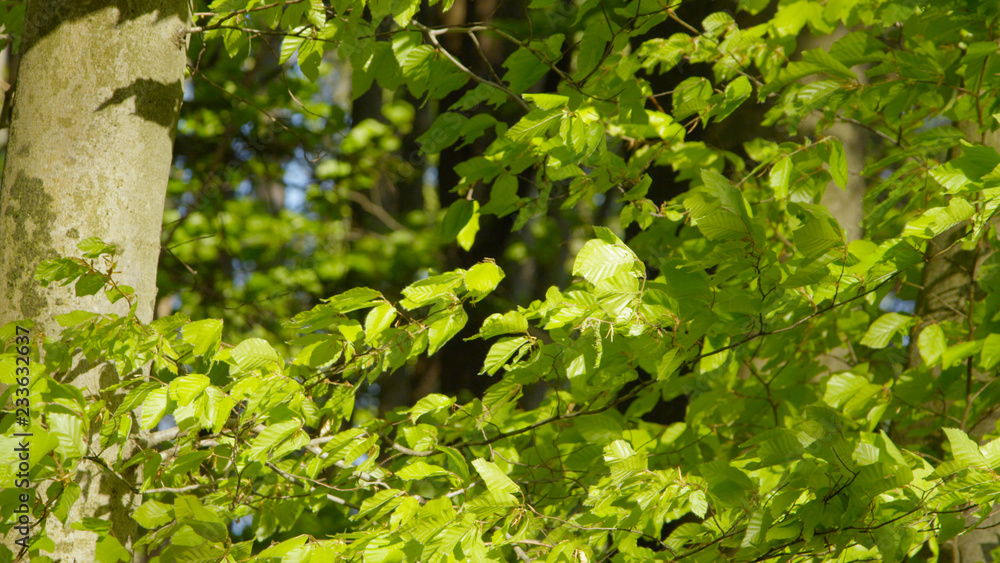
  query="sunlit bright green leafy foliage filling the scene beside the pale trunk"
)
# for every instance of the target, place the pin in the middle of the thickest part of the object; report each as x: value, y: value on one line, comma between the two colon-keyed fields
x: 738, y: 293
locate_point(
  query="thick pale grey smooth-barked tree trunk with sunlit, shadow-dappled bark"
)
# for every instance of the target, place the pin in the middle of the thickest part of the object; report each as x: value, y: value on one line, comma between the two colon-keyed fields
x: 97, y: 98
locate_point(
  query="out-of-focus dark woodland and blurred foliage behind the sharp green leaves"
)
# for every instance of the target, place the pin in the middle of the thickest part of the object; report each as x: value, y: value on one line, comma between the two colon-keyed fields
x: 287, y: 189
